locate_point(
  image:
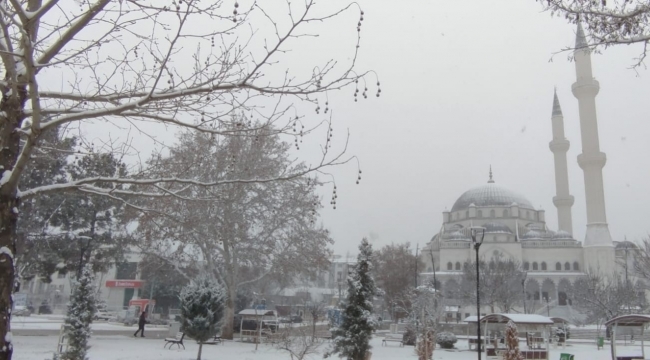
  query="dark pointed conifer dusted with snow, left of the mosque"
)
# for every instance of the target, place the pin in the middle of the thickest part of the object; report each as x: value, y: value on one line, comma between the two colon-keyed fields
x: 351, y: 339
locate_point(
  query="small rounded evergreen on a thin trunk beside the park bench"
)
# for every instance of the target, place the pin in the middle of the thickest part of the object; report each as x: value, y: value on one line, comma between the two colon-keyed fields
x: 202, y: 304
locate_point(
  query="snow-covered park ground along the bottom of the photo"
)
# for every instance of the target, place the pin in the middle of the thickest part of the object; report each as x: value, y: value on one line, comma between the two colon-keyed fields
x: 123, y: 348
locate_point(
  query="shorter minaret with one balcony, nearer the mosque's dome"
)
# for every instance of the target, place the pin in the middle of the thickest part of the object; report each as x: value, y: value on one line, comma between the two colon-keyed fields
x: 559, y: 146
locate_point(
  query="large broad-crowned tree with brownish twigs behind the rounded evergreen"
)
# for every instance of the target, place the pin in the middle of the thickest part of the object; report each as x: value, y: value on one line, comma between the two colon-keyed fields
x: 244, y: 232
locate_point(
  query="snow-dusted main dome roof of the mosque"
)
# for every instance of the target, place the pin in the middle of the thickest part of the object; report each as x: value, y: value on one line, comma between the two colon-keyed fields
x: 490, y: 195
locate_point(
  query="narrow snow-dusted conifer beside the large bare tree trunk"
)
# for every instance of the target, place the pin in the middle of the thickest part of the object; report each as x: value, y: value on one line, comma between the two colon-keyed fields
x: 81, y: 310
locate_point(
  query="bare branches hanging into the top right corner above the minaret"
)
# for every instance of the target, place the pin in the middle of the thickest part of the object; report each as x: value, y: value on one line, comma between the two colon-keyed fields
x: 609, y: 22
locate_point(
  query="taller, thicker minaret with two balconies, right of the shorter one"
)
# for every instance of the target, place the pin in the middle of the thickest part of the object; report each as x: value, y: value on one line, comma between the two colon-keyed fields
x: 598, y: 245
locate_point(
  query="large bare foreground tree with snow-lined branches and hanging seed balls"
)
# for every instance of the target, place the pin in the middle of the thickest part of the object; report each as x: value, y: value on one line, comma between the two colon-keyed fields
x: 142, y: 63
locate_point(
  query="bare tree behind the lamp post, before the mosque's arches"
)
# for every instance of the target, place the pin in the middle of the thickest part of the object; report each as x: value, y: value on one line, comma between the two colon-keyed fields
x: 500, y: 280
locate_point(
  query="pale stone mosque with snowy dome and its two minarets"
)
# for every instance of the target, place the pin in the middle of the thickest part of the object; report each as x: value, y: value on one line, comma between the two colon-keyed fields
x: 514, y: 228
